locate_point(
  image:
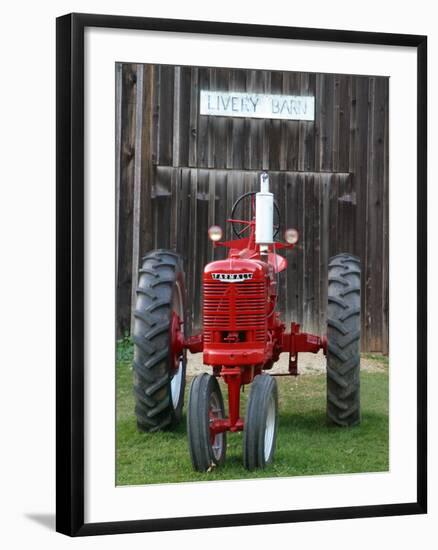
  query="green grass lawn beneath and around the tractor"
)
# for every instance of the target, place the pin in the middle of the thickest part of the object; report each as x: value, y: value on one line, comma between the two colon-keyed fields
x: 306, y: 445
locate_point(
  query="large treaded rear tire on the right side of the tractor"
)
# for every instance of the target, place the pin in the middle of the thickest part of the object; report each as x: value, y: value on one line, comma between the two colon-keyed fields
x: 343, y: 340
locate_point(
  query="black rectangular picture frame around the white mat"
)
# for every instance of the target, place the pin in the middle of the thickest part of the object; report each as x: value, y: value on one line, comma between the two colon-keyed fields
x: 70, y: 273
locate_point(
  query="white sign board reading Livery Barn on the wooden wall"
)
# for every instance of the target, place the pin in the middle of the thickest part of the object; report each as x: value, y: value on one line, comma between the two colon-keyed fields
x: 238, y: 104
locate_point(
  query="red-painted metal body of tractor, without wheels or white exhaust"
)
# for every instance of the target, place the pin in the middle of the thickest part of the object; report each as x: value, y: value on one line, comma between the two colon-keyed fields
x: 242, y: 333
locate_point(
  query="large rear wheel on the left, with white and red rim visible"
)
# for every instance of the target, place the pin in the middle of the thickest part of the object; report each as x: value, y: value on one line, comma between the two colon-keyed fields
x: 159, y: 371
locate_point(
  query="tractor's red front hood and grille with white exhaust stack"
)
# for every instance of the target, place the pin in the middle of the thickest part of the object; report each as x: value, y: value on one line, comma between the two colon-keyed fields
x: 239, y: 296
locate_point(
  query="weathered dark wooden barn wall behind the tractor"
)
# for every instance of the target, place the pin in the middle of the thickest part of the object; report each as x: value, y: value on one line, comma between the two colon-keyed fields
x: 178, y: 172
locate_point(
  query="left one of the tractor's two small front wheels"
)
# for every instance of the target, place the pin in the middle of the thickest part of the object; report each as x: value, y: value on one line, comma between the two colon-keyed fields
x: 205, y: 405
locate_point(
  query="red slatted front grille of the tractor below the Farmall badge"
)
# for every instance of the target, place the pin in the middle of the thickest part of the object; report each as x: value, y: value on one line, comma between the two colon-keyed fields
x: 239, y: 307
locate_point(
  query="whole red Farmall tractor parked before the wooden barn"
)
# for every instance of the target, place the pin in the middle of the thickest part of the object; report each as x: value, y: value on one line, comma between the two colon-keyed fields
x: 242, y: 337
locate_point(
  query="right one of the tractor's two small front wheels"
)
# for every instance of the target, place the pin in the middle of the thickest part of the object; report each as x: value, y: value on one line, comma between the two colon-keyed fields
x: 261, y: 421
